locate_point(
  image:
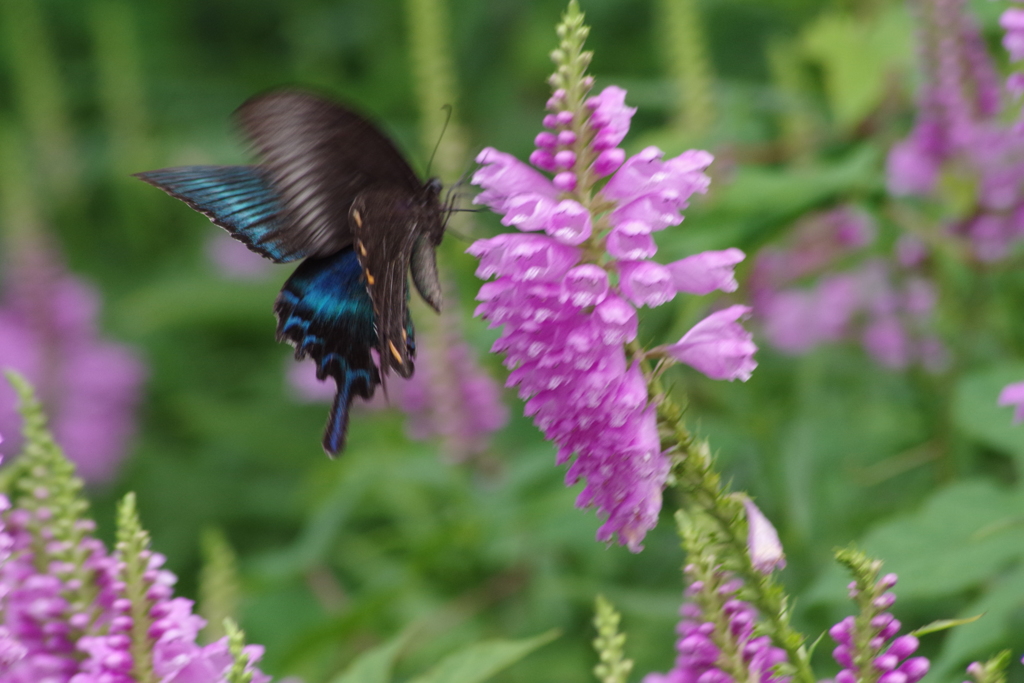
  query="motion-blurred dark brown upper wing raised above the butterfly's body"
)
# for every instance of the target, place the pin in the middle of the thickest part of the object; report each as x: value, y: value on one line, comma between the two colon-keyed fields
x: 320, y: 157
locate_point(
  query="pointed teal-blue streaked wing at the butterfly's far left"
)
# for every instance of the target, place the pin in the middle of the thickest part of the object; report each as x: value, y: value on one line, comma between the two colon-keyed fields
x: 239, y: 199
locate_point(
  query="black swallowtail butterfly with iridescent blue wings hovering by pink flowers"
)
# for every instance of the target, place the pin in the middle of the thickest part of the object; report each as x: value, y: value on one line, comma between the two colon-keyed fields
x: 332, y: 190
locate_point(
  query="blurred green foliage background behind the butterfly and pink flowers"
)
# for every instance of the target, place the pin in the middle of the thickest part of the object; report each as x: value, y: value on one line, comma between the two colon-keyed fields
x: 799, y: 100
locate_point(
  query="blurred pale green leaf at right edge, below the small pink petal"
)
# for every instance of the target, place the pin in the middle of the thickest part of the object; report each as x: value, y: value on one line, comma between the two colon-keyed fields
x: 976, y: 412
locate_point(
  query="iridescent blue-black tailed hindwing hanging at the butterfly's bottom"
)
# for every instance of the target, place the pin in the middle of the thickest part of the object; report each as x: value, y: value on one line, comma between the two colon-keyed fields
x: 325, y: 313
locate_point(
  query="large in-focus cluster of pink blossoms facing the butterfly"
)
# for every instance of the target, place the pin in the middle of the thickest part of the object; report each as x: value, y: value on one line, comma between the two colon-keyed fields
x: 566, y: 323
